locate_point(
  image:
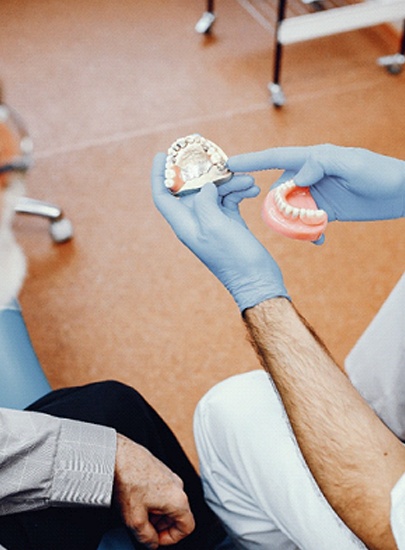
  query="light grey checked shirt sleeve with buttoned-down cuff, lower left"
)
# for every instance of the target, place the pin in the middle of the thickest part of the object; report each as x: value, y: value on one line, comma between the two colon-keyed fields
x: 48, y: 461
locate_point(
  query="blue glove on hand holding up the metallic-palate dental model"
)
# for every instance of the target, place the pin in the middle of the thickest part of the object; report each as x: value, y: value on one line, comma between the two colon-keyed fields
x: 210, y: 225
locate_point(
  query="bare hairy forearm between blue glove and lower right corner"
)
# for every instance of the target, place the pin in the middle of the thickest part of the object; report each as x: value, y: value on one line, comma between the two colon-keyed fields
x: 354, y: 457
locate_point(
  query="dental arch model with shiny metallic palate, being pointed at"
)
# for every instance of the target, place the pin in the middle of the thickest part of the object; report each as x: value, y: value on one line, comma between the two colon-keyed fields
x: 192, y: 162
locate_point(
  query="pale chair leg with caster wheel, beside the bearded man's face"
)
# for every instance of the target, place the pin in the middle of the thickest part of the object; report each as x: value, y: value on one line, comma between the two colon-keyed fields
x: 60, y: 228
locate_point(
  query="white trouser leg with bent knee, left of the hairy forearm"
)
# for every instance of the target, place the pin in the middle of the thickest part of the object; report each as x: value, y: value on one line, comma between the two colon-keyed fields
x: 254, y: 475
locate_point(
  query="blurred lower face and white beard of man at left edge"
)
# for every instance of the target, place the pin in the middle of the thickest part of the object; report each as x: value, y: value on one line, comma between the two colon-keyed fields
x: 12, y: 259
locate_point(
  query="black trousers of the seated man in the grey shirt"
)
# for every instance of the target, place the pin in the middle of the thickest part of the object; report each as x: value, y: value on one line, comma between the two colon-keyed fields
x: 121, y: 407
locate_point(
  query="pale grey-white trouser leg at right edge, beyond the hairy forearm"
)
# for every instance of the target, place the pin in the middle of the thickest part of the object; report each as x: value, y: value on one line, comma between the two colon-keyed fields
x: 376, y: 364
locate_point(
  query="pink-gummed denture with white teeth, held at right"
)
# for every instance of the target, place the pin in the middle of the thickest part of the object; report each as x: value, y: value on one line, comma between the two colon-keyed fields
x: 291, y: 211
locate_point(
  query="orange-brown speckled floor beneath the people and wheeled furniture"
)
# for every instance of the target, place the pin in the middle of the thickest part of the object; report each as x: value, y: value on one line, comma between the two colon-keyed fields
x: 105, y: 85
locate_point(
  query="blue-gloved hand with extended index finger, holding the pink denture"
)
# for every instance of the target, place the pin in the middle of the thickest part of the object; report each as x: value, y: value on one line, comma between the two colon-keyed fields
x: 350, y: 184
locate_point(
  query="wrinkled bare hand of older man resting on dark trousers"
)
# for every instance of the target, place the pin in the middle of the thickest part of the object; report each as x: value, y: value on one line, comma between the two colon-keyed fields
x: 150, y: 496
